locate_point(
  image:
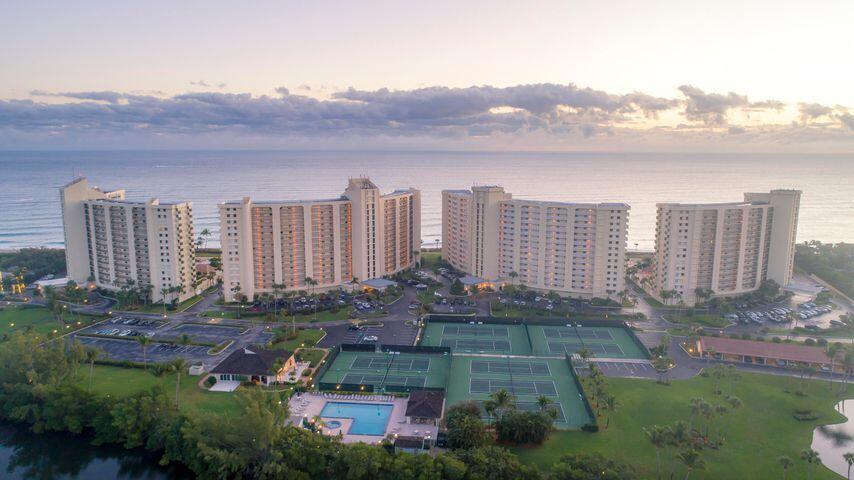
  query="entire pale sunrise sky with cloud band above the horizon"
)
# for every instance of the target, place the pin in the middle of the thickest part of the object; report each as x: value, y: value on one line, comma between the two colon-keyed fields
x: 552, y: 75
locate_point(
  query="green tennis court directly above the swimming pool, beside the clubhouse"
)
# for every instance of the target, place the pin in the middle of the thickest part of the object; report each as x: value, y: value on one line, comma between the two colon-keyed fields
x: 386, y: 371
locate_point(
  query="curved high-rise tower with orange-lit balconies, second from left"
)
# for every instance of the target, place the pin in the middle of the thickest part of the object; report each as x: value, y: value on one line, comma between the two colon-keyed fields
x: 361, y: 235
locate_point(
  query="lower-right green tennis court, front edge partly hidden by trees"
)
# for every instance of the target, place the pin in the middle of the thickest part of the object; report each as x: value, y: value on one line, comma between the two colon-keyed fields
x: 475, y: 378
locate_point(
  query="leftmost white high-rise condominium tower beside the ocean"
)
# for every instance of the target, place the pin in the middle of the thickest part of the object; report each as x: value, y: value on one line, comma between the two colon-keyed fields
x: 116, y: 242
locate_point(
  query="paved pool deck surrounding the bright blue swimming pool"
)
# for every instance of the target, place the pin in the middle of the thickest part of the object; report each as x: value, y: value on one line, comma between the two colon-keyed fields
x: 308, y: 405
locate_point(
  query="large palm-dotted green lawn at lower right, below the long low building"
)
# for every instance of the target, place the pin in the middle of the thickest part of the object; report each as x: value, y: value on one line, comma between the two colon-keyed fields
x: 760, y: 432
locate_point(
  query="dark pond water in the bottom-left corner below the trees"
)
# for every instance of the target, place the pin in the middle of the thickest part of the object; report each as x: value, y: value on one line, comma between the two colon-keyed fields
x: 25, y: 455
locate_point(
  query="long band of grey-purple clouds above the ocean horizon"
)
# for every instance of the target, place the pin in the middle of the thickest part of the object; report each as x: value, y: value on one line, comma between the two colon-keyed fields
x: 559, y: 113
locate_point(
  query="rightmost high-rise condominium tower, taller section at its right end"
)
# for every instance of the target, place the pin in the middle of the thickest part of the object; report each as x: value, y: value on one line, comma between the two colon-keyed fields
x: 725, y: 249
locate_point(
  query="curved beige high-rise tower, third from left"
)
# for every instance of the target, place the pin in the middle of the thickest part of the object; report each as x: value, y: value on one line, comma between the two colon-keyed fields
x: 574, y: 248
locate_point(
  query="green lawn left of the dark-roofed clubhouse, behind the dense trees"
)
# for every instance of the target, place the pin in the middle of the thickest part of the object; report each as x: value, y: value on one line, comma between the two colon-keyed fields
x: 119, y: 381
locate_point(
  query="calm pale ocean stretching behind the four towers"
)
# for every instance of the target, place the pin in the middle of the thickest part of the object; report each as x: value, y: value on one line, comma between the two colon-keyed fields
x: 29, y: 182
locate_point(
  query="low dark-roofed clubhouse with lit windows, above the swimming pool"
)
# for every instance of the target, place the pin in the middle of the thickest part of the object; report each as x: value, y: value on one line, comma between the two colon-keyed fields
x: 256, y: 365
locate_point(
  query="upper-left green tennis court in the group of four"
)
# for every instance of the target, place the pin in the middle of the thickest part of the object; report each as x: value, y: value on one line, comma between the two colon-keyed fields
x: 478, y: 338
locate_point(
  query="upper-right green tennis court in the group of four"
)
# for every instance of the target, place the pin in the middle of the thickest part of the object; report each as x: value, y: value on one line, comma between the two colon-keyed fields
x: 610, y: 342
